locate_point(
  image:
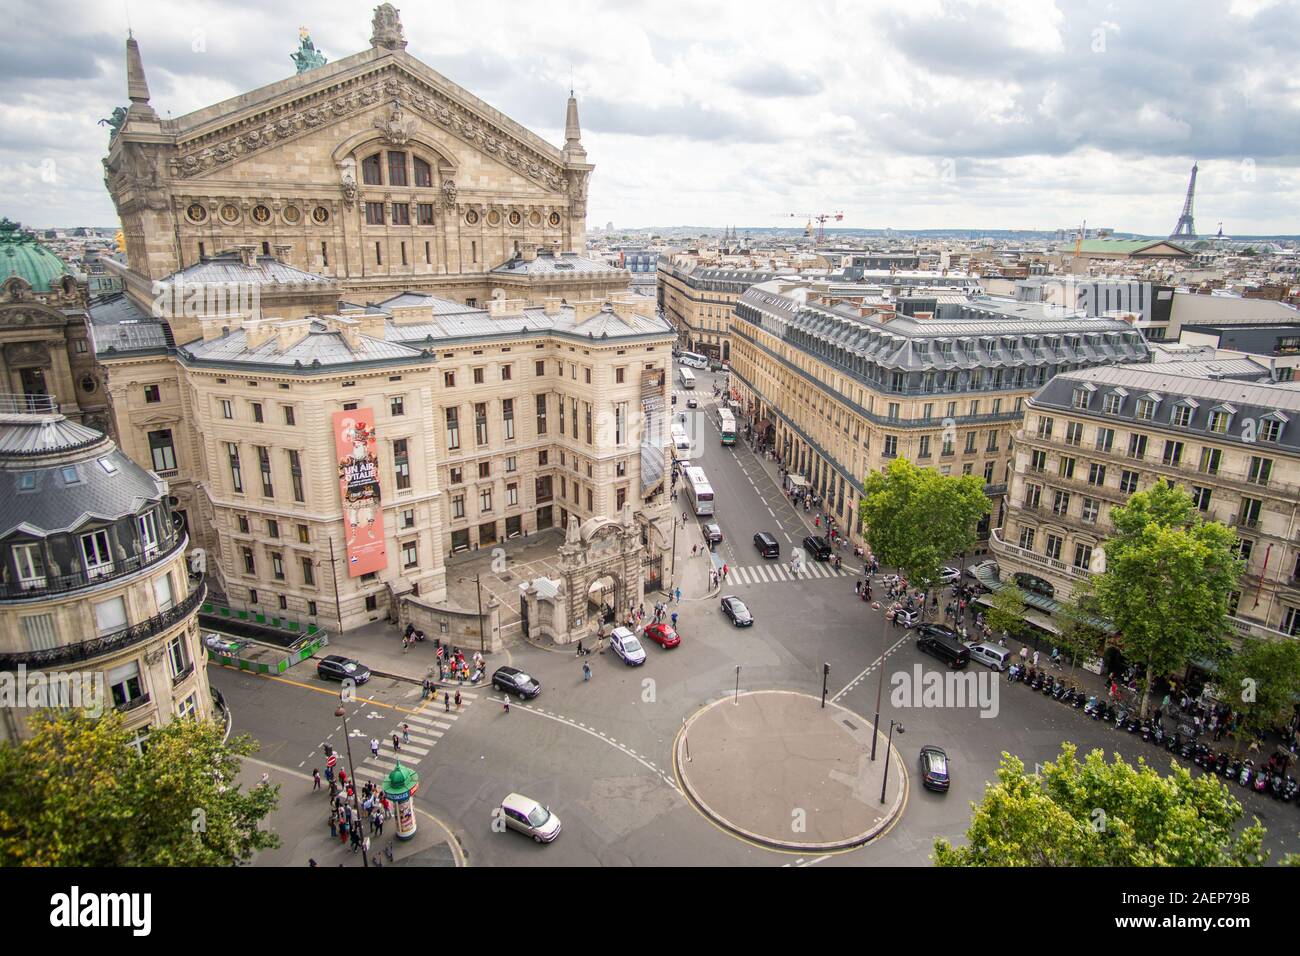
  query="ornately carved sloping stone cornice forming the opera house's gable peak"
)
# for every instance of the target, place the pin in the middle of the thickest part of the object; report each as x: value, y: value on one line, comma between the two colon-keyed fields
x: 226, y: 133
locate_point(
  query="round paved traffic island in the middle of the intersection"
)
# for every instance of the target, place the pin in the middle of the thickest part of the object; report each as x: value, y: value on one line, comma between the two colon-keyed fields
x: 777, y: 769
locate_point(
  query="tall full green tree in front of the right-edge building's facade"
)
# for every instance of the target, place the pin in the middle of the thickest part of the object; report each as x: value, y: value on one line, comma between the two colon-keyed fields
x: 1167, y: 582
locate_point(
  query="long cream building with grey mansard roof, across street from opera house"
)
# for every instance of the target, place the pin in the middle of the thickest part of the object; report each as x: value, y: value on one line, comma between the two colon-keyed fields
x: 844, y: 384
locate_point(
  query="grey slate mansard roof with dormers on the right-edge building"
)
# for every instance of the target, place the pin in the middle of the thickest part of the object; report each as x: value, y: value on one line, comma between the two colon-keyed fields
x: 1243, y: 401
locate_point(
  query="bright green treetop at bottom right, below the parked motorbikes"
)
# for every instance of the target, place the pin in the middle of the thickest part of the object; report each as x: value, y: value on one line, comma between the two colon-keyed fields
x: 1093, y: 814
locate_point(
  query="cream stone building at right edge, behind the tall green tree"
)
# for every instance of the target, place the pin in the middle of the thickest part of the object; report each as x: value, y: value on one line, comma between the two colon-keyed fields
x: 1093, y: 438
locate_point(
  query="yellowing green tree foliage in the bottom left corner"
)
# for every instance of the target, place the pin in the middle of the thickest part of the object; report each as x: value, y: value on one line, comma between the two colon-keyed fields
x: 77, y: 794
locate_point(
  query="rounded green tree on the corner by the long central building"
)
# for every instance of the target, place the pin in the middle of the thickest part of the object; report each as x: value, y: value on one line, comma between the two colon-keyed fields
x: 916, y: 518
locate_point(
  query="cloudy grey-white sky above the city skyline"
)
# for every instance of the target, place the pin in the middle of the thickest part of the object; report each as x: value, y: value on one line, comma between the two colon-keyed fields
x: 911, y: 114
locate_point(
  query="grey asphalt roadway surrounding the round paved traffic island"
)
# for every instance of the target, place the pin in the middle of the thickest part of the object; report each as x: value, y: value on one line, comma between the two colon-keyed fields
x: 599, y: 754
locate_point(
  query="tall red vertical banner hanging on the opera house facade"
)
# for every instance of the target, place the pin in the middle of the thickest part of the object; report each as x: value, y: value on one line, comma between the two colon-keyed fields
x: 359, y: 490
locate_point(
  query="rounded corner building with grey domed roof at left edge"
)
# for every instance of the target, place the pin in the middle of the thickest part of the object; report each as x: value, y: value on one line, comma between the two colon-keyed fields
x: 94, y: 579
